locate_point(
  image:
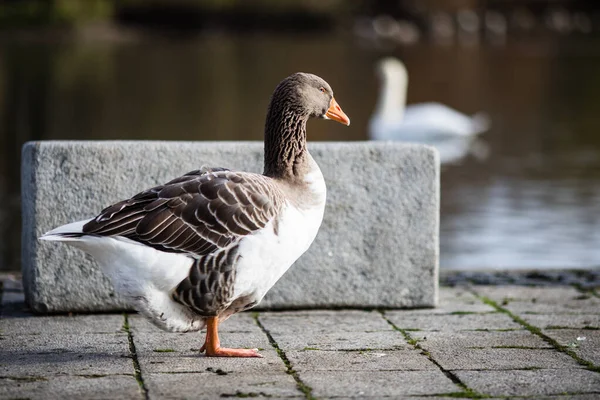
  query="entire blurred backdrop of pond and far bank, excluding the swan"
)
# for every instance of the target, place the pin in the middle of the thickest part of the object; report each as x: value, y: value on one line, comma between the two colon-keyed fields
x: 204, y: 70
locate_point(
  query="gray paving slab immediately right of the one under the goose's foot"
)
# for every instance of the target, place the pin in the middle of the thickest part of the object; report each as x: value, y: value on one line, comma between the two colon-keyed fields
x: 374, y: 360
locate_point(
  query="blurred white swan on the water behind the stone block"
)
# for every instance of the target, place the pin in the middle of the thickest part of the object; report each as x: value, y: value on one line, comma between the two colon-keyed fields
x: 450, y: 131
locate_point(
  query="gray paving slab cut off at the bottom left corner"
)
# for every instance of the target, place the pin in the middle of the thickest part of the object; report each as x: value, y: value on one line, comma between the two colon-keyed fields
x: 71, y: 387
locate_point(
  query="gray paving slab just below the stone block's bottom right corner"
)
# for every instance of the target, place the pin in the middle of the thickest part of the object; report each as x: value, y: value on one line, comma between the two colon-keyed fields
x: 450, y: 322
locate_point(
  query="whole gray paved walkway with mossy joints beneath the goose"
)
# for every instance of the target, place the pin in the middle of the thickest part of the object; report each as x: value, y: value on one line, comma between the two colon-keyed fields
x: 483, y: 341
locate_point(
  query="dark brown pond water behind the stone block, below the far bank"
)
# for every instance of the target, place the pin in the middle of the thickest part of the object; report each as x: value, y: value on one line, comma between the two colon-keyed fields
x: 534, y: 202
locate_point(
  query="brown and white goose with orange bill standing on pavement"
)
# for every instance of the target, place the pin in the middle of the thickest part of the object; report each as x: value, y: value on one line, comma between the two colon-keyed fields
x: 192, y: 252
